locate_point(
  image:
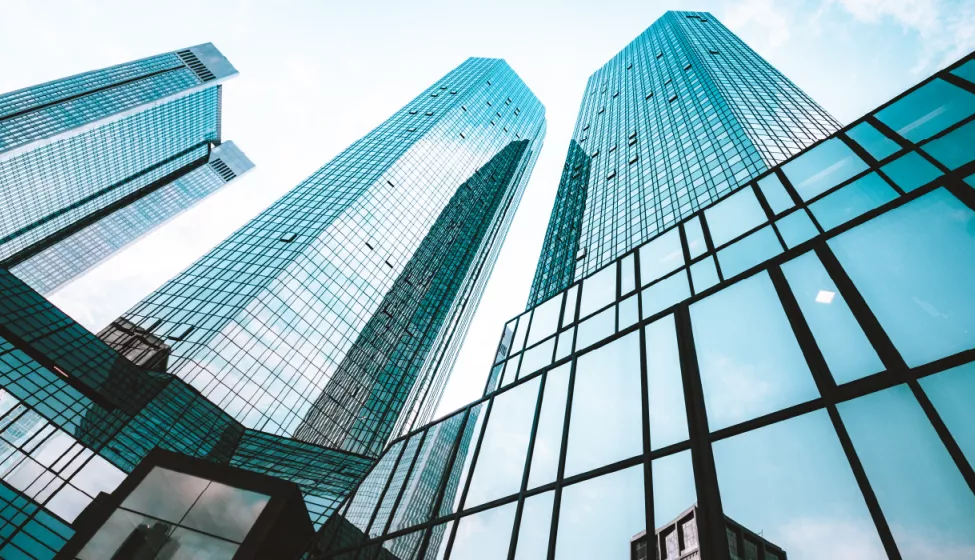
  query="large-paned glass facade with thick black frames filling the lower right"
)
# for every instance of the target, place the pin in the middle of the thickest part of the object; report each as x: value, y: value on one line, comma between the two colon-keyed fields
x: 785, y: 373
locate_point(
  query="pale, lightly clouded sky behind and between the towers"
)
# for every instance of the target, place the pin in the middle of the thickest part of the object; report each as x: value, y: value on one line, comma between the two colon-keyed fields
x: 317, y: 75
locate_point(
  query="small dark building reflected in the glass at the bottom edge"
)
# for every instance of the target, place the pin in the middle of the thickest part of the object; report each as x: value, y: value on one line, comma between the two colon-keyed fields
x: 678, y: 540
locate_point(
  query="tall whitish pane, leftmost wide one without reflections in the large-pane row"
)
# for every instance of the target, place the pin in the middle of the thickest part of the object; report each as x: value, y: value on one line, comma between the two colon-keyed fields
x: 501, y: 461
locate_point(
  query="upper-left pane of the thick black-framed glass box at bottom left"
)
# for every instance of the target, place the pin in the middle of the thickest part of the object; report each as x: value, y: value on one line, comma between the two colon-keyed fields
x: 165, y: 494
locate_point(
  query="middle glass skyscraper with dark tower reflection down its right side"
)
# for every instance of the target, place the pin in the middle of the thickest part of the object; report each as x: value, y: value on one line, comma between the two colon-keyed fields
x: 335, y: 314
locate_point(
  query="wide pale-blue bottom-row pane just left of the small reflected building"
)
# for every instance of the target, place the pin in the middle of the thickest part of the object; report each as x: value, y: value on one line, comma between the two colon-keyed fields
x: 598, y: 517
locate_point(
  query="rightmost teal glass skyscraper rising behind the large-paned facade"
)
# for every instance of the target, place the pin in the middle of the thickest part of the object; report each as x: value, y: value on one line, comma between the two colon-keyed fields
x: 682, y: 115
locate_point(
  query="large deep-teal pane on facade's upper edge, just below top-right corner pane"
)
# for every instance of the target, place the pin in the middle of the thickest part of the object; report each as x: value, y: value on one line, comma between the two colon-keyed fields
x: 928, y: 110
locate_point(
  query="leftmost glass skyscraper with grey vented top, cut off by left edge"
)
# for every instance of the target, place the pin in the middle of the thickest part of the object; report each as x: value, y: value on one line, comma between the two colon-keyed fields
x: 91, y: 162
